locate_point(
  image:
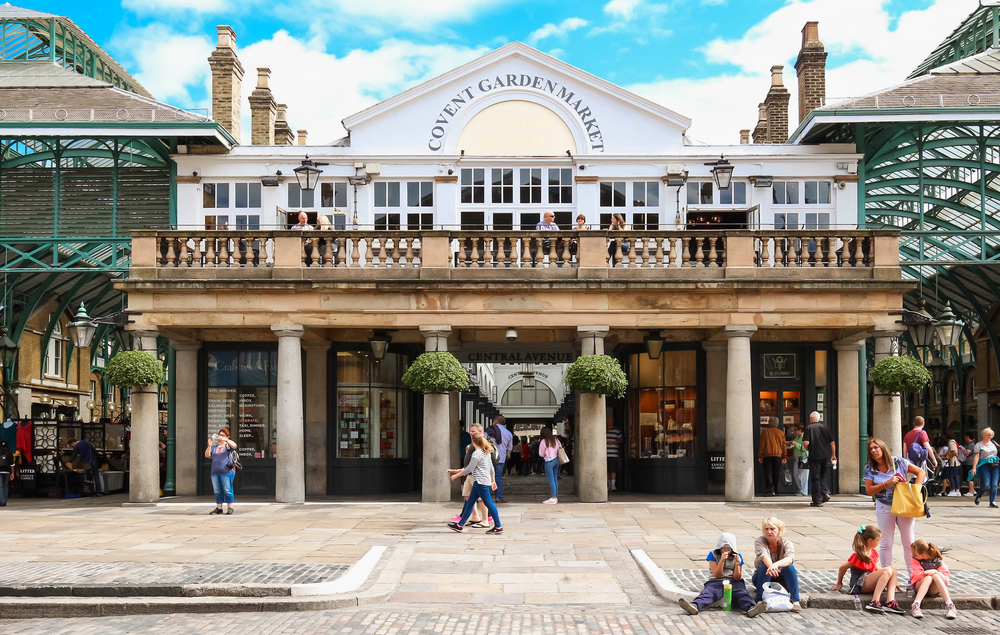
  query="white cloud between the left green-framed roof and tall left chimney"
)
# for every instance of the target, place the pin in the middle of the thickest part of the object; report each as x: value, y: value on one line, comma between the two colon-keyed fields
x: 169, y: 65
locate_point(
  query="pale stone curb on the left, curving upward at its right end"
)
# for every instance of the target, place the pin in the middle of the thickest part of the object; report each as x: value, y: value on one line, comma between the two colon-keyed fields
x: 339, y: 593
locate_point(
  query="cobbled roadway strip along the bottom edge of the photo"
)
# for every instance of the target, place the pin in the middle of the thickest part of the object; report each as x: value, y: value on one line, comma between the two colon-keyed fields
x: 477, y: 619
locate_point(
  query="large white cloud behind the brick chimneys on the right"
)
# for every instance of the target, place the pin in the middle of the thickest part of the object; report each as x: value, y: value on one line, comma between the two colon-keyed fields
x: 721, y: 105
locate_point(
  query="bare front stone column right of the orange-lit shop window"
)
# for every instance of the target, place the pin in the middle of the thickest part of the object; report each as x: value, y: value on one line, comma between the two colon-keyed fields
x: 740, y: 451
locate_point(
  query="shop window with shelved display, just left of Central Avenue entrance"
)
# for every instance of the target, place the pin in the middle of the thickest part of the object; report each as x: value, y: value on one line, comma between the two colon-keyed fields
x: 371, y: 406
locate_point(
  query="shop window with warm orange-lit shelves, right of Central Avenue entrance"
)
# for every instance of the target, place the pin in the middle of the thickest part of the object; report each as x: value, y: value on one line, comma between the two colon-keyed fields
x: 663, y: 406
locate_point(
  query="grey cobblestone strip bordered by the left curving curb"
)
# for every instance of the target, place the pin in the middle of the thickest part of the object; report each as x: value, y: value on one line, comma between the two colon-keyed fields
x: 168, y: 573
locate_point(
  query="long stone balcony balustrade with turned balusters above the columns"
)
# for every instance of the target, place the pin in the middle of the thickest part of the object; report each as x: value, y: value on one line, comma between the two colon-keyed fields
x: 458, y: 254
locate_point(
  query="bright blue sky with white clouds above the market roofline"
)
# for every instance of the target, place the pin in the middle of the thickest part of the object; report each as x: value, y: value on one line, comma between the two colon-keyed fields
x: 707, y: 59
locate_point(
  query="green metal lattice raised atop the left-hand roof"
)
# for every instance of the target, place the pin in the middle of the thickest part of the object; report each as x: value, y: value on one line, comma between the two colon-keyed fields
x: 60, y: 41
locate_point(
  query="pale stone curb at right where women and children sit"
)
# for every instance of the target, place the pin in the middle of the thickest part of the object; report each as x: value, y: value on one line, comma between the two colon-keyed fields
x: 669, y: 591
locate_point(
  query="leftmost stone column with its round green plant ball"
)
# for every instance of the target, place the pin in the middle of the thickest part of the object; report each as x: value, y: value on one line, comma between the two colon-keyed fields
x: 143, y: 372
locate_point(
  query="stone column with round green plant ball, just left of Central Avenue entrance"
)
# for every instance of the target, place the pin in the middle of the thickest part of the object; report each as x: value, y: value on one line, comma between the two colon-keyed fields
x: 436, y: 375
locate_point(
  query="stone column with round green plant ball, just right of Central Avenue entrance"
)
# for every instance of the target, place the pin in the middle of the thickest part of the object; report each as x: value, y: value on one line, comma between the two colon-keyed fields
x: 594, y: 377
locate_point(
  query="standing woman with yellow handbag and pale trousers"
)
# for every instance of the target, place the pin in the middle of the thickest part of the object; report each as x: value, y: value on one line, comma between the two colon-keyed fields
x: 885, y: 473
